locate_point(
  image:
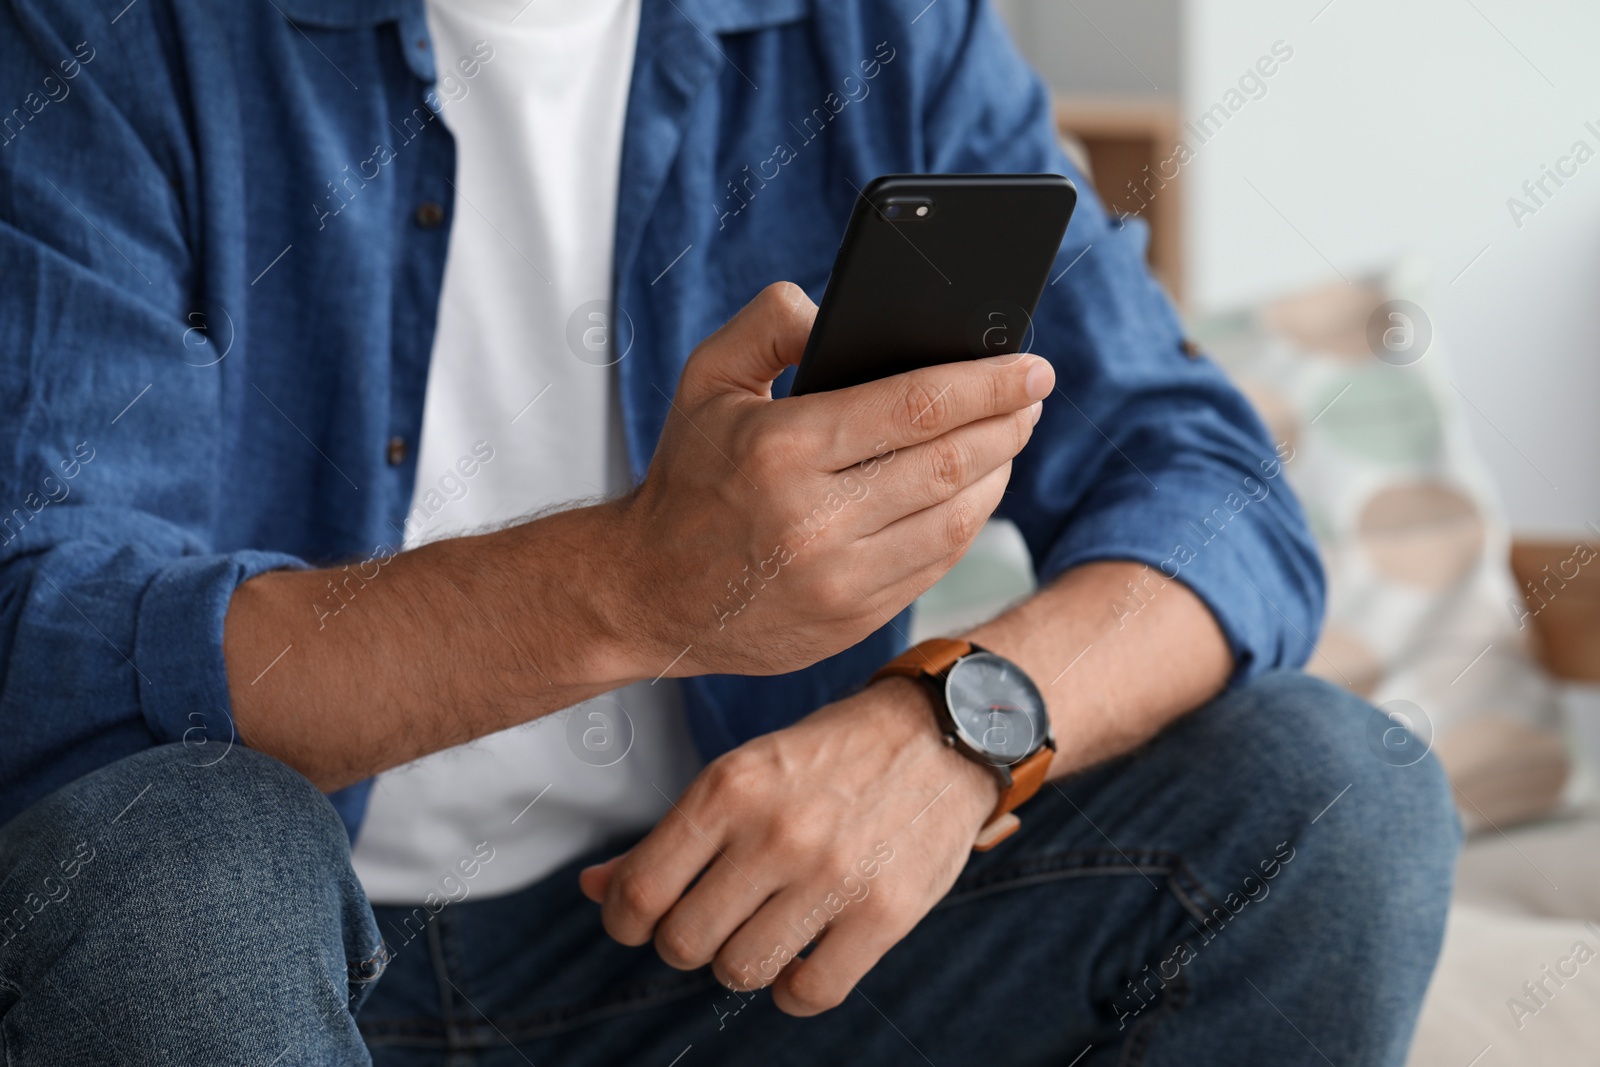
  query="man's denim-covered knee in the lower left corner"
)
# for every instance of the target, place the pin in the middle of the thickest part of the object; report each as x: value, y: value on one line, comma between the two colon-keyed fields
x: 220, y: 890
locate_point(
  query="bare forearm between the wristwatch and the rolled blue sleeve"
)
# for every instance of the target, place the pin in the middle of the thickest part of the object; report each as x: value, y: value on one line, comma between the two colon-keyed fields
x: 1114, y: 665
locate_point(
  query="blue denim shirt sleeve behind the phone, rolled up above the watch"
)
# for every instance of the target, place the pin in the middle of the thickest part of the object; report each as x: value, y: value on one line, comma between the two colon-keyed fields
x: 1146, y: 452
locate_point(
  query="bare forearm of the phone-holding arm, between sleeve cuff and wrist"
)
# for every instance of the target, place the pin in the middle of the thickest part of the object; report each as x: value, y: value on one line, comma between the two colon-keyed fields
x: 348, y: 673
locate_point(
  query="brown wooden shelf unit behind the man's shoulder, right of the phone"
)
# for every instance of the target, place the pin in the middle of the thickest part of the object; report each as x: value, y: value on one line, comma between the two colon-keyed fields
x: 1132, y: 159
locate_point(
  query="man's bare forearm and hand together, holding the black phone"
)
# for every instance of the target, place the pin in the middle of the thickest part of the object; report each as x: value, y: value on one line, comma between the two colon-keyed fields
x: 766, y: 537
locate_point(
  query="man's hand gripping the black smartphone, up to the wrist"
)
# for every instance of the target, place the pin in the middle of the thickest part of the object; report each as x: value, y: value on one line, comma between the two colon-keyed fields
x: 774, y: 533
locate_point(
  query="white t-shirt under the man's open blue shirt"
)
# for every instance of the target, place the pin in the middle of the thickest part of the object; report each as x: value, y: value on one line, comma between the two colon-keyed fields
x: 522, y: 394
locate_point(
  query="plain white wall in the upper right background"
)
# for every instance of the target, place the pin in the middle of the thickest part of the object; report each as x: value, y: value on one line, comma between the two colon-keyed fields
x: 1404, y: 127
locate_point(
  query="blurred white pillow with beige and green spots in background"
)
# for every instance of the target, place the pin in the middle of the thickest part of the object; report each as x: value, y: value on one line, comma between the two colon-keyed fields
x: 1410, y: 530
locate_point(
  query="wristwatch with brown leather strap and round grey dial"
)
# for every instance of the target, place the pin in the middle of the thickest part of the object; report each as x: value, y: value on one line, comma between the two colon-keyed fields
x: 991, y: 713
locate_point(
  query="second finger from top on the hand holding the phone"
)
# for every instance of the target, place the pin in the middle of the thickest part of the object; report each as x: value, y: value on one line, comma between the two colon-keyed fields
x: 937, y: 471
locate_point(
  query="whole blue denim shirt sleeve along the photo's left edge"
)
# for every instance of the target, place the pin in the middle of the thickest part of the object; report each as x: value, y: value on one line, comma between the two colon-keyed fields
x: 113, y: 414
